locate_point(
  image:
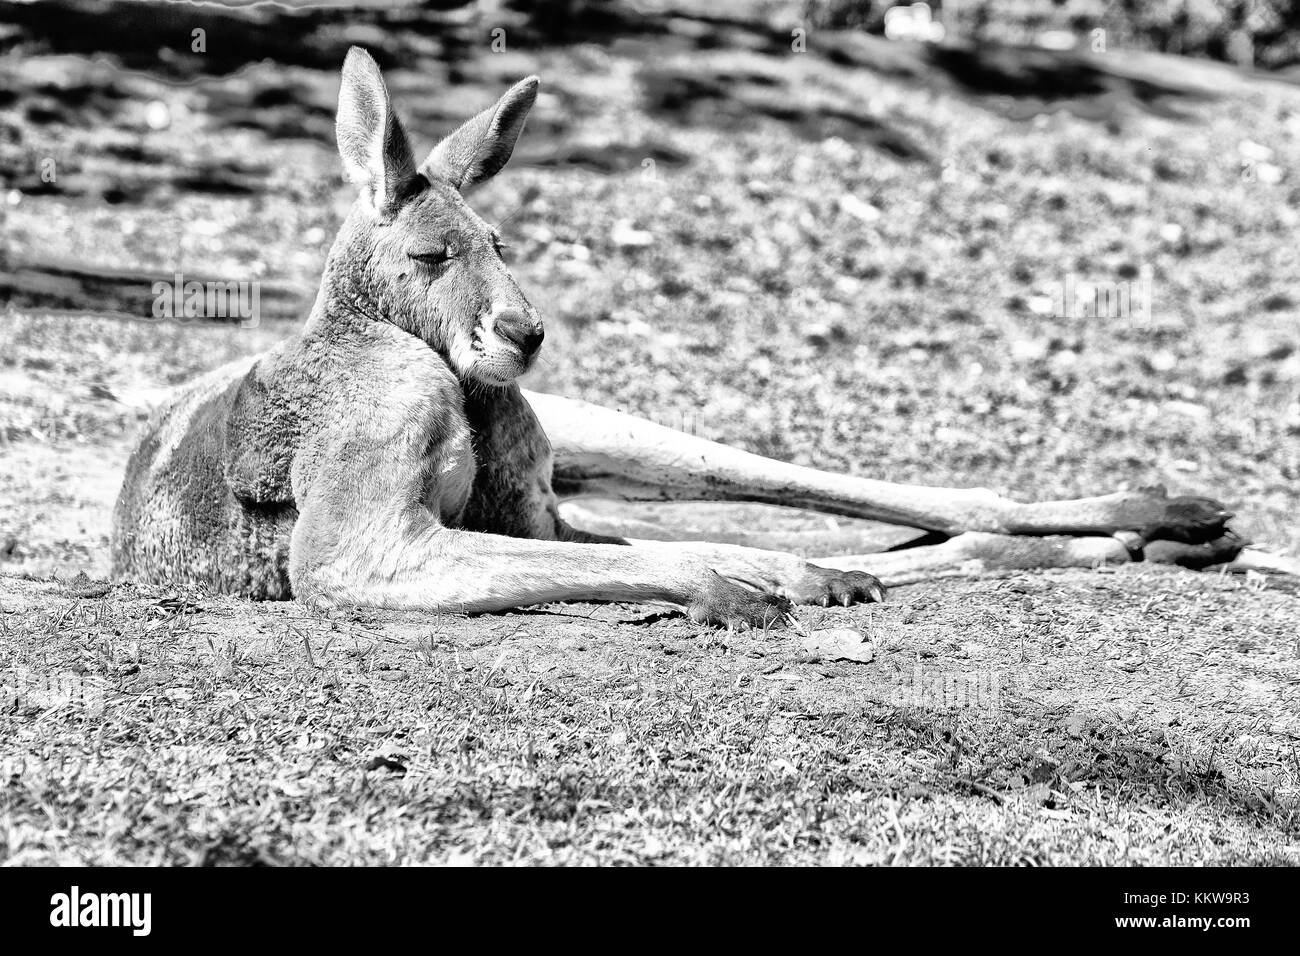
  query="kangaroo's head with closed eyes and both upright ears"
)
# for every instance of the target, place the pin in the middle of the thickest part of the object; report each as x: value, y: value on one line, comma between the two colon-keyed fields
x: 411, y: 252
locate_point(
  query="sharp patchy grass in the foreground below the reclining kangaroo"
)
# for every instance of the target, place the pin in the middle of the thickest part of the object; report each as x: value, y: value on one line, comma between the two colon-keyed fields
x: 1125, y: 729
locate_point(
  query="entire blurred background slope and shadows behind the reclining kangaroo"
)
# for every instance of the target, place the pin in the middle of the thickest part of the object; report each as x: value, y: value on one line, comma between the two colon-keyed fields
x: 1046, y: 248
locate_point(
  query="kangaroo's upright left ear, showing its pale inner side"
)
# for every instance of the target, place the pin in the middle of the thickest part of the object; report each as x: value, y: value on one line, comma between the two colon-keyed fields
x: 376, y: 153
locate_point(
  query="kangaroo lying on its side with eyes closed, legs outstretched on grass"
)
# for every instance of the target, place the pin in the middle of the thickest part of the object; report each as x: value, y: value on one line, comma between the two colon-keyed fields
x: 385, y: 455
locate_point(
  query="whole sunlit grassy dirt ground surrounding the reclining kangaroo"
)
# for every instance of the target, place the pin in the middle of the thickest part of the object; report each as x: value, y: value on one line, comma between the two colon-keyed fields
x: 838, y: 259
